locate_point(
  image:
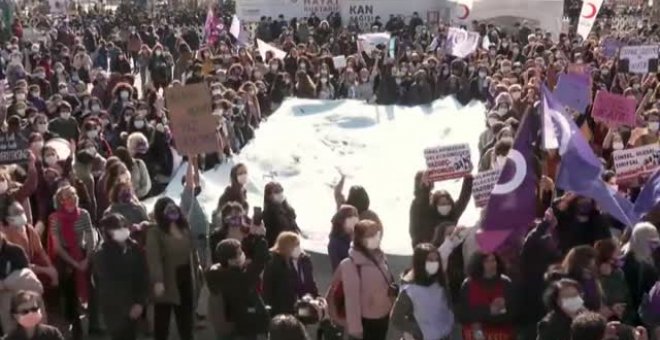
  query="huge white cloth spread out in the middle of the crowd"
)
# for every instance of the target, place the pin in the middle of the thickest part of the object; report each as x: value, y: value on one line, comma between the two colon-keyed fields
x: 306, y: 143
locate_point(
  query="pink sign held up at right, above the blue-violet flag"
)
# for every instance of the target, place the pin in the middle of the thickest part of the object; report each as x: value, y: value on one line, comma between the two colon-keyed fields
x: 614, y: 109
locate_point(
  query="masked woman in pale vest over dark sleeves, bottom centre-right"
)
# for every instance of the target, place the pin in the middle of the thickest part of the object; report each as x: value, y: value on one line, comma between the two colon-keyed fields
x: 423, y: 308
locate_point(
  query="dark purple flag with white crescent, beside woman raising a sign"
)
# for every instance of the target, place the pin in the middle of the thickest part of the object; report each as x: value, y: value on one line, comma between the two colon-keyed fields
x: 512, y: 203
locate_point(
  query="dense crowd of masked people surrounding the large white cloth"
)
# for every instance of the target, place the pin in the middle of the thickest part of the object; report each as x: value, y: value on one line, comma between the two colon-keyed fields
x: 80, y: 255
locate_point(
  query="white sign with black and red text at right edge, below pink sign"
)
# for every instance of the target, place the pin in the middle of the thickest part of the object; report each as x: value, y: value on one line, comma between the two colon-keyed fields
x: 632, y: 163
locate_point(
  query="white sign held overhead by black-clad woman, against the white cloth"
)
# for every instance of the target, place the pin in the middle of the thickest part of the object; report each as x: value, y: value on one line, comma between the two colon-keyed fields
x: 447, y: 162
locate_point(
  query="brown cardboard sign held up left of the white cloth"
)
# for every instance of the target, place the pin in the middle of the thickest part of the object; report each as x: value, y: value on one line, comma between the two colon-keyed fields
x: 193, y: 126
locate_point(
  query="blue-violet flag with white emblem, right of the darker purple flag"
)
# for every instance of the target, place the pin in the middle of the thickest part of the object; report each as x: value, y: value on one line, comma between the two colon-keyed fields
x: 580, y: 170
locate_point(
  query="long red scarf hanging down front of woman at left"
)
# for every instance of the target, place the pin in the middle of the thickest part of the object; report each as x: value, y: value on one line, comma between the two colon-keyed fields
x: 67, y: 221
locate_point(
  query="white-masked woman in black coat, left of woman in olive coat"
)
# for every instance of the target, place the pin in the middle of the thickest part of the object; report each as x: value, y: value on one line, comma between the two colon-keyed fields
x: 120, y: 273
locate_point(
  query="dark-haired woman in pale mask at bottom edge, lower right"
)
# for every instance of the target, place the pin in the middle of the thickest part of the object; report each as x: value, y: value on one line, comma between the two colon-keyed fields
x: 564, y: 302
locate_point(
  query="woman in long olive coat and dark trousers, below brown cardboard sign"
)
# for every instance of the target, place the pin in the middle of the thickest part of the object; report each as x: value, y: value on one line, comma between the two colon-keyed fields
x: 172, y: 268
